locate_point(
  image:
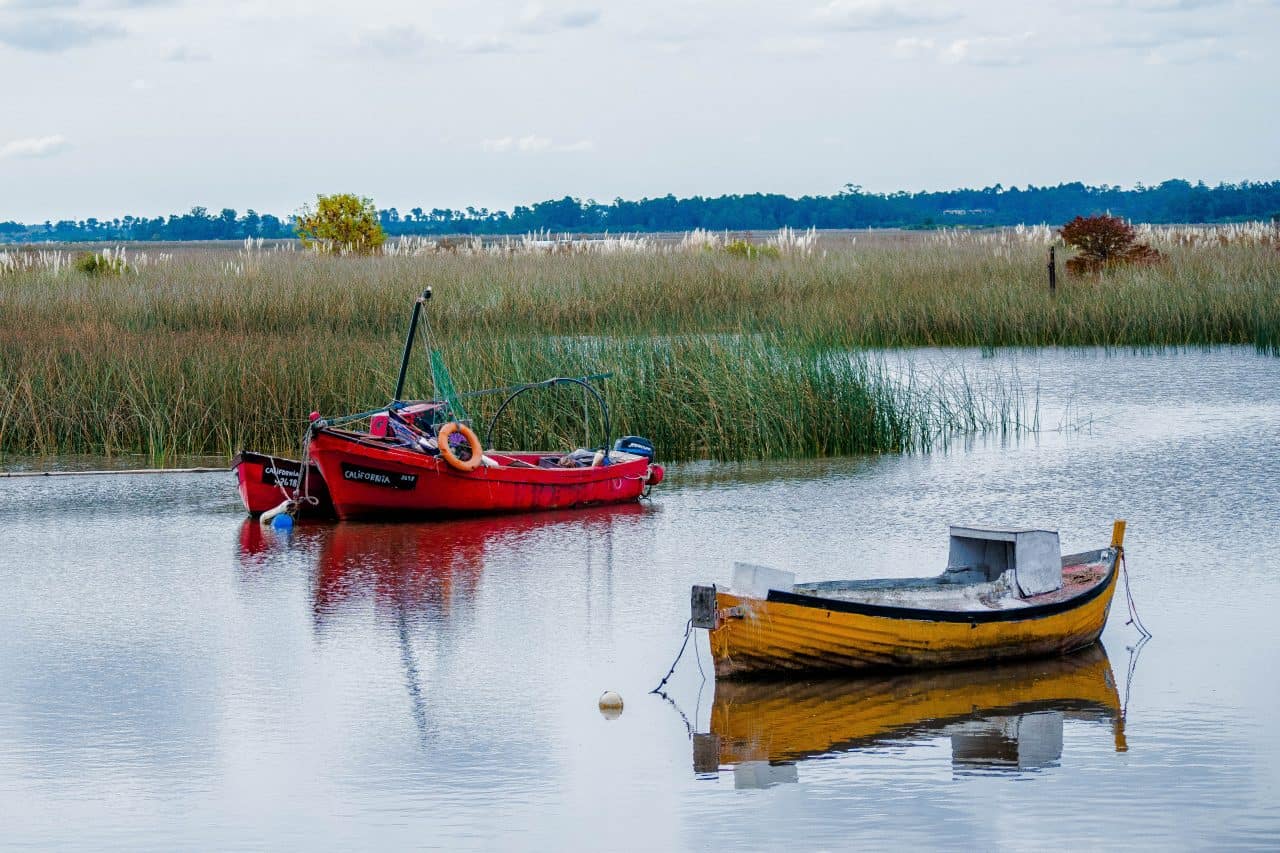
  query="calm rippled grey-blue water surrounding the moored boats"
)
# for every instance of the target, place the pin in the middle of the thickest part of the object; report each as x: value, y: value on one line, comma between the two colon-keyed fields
x: 173, y: 677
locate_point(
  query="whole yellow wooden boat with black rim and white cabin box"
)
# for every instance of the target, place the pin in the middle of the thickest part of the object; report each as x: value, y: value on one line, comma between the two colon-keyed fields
x: 1007, y: 594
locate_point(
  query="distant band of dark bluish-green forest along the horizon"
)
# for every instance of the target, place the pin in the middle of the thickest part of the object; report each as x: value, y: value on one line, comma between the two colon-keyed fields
x: 1172, y: 202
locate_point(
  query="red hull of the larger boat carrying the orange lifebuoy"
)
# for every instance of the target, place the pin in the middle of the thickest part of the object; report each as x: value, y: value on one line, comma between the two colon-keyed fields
x: 368, y: 480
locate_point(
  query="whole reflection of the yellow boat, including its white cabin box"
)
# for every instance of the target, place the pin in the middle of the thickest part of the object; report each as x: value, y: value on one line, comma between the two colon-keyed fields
x: 999, y: 719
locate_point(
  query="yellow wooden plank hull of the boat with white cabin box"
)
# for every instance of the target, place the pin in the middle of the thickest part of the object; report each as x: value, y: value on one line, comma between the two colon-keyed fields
x: 790, y: 632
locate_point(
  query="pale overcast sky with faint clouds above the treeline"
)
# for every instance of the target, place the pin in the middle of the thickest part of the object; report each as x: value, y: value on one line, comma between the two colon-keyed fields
x: 150, y: 107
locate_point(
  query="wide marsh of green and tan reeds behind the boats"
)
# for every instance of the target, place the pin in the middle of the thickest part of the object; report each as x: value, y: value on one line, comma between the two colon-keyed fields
x: 717, y: 353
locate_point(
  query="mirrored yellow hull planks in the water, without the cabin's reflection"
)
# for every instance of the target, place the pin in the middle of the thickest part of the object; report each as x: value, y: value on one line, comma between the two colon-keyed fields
x: 796, y: 720
